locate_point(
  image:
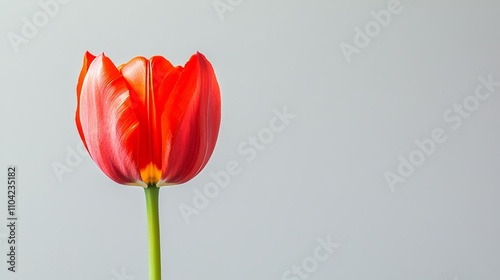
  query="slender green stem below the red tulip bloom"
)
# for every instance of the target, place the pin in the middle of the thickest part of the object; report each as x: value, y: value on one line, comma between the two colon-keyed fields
x: 153, y: 232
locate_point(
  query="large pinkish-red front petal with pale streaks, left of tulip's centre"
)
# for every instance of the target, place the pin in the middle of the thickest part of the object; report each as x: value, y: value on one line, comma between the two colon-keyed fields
x: 108, y: 122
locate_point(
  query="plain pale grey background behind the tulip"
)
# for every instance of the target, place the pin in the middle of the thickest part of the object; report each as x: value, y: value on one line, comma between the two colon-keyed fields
x: 321, y: 176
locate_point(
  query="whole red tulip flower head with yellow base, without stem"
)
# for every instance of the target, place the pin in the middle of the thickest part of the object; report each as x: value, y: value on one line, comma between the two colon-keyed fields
x: 147, y: 122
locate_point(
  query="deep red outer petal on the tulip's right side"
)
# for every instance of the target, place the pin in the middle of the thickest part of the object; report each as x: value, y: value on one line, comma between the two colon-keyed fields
x: 193, y: 115
